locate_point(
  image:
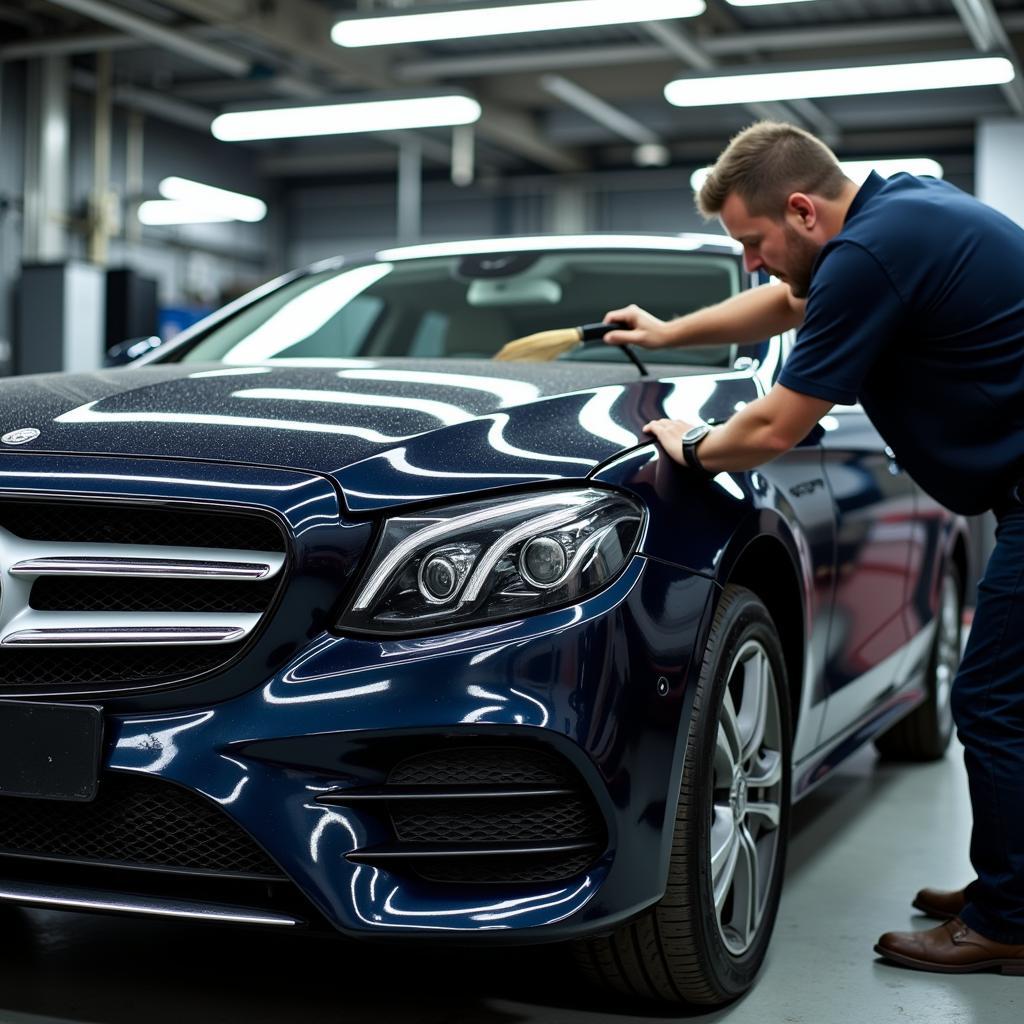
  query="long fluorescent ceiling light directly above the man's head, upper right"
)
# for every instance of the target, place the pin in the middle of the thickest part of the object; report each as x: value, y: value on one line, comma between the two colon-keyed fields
x: 718, y: 90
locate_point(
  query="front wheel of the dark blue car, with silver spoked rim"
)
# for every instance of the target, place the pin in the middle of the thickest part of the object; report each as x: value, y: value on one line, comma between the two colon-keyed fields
x: 690, y: 948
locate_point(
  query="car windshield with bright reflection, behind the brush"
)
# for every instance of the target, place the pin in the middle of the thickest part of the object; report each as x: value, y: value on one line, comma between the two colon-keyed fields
x: 467, y: 308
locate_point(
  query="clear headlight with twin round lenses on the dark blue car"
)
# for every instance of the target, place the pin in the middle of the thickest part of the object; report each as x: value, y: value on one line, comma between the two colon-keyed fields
x: 494, y: 560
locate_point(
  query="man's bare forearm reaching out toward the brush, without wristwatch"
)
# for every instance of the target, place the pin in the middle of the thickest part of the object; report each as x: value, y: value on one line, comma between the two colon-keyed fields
x: 749, y: 317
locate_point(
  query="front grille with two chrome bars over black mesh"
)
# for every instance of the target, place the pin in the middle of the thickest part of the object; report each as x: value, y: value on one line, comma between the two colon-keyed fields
x: 106, y: 583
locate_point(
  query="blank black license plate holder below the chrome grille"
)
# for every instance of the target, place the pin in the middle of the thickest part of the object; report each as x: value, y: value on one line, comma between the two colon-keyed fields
x: 50, y: 751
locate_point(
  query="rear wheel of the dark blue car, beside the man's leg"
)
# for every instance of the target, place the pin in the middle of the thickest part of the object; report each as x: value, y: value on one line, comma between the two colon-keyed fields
x: 925, y: 734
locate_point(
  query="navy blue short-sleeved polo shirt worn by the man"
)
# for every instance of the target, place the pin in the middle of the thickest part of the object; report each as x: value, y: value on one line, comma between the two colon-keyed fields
x: 917, y: 311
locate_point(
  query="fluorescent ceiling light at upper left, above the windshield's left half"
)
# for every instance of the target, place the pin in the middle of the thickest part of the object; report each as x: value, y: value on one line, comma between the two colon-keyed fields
x: 342, y: 119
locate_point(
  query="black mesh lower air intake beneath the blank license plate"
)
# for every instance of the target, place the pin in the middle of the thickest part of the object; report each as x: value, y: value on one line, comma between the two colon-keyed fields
x: 135, y: 822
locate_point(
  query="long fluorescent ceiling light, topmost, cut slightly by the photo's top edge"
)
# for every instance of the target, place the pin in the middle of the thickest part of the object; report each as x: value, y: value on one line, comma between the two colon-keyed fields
x: 506, y: 19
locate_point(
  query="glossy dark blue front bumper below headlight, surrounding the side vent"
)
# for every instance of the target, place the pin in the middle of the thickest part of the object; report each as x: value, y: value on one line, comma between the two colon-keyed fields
x: 582, y: 684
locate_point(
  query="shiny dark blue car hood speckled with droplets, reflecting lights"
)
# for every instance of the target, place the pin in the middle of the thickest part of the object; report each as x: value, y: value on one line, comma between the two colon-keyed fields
x: 390, y: 431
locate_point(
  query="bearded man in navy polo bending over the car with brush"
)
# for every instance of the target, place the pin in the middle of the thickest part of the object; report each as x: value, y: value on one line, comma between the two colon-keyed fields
x: 909, y: 295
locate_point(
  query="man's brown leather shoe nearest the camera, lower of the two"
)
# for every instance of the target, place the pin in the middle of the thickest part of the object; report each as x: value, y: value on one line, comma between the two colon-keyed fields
x: 951, y: 949
